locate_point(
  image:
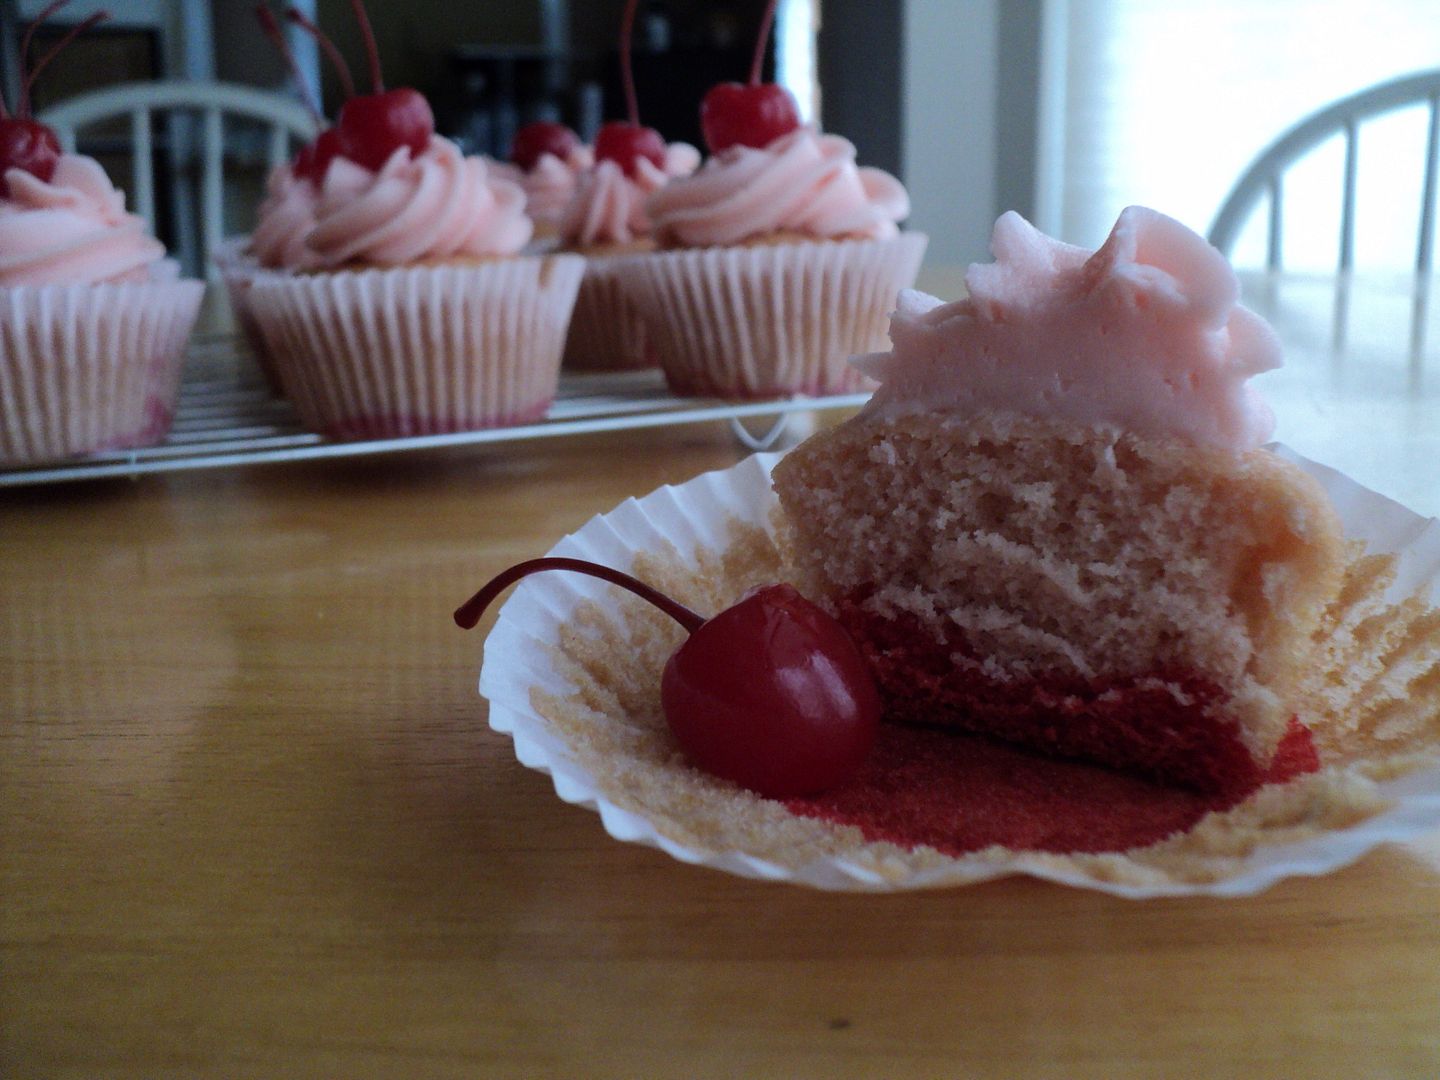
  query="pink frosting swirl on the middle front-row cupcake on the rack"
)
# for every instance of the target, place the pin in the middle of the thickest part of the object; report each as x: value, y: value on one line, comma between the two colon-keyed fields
x: 434, y: 207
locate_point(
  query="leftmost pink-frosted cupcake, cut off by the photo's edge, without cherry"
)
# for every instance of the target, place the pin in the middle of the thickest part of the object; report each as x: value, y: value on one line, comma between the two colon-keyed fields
x: 94, y: 320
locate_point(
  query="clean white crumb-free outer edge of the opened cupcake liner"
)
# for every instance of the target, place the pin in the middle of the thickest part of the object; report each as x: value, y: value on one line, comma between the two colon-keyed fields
x: 519, y: 662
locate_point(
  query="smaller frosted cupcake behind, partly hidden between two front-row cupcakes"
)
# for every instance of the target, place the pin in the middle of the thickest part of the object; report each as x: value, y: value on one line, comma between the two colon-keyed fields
x: 607, y: 222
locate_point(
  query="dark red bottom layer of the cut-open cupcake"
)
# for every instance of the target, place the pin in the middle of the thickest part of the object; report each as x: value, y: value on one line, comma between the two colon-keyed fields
x: 1127, y: 724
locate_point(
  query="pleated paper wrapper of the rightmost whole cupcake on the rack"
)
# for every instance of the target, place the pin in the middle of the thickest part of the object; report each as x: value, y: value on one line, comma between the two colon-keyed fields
x: 771, y: 320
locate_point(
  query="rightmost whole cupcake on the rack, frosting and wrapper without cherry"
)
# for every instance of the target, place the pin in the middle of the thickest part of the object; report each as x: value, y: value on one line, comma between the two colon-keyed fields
x: 778, y: 264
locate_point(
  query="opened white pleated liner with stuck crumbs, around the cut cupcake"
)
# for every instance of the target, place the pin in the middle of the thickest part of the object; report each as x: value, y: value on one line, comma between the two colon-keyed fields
x: 572, y: 666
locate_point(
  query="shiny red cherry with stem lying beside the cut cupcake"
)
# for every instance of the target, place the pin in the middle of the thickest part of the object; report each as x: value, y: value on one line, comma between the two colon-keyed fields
x: 770, y: 693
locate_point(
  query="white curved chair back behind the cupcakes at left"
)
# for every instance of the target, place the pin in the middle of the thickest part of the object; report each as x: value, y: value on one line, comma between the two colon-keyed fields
x: 287, y: 123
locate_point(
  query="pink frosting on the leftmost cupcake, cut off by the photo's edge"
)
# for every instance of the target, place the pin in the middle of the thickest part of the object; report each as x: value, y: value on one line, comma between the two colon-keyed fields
x: 73, y: 228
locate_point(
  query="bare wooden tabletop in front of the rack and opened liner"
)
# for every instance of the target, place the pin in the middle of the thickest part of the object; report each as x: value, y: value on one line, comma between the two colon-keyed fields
x: 253, y: 824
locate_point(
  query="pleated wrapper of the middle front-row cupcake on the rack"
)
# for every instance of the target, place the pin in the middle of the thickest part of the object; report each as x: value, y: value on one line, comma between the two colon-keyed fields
x: 421, y: 351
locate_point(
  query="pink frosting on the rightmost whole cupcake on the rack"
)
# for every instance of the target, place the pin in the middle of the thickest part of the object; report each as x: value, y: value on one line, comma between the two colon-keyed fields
x: 803, y: 182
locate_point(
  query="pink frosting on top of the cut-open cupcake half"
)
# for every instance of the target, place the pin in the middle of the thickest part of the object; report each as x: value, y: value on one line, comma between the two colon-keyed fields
x: 1146, y: 335
